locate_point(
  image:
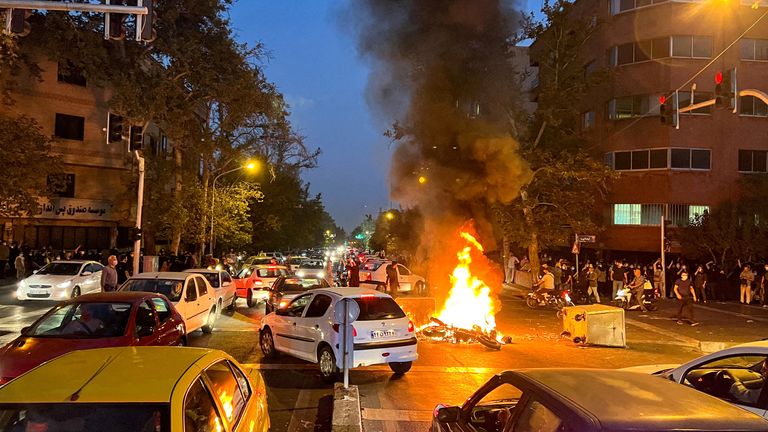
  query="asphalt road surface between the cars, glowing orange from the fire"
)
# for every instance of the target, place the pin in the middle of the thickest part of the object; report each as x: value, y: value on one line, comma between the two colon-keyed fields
x: 446, y: 373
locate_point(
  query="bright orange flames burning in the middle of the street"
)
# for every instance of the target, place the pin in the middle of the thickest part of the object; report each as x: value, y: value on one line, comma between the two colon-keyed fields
x: 470, y: 302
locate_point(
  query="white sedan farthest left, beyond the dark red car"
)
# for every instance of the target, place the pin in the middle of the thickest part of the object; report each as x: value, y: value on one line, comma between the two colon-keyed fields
x: 61, y: 280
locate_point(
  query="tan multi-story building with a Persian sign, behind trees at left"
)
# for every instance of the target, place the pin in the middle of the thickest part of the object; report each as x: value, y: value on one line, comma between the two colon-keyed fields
x: 98, y: 204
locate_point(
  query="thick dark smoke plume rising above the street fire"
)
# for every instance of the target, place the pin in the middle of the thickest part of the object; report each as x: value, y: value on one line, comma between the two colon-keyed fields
x: 441, y: 73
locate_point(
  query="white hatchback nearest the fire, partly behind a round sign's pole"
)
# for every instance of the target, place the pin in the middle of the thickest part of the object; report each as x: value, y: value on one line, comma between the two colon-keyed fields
x: 305, y: 328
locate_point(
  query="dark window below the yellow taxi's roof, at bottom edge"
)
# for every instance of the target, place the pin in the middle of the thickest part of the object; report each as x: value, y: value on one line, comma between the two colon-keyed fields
x: 77, y: 417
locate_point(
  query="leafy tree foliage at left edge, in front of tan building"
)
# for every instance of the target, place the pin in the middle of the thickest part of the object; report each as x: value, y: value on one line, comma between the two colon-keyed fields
x: 27, y: 163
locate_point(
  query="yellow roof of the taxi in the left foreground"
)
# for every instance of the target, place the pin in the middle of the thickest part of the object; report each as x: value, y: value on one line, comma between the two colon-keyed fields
x: 107, y: 375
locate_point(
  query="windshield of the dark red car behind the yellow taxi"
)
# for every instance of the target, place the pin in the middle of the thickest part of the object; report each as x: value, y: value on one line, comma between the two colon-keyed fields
x: 84, y: 321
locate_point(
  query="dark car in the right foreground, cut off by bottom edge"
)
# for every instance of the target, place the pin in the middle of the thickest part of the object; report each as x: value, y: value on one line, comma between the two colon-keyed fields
x: 587, y: 400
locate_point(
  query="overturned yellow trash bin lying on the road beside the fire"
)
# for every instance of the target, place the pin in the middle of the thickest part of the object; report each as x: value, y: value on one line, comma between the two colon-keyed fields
x: 595, y: 325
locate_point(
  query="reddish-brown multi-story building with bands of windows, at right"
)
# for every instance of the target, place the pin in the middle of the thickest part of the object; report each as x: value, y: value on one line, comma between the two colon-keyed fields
x: 652, y: 48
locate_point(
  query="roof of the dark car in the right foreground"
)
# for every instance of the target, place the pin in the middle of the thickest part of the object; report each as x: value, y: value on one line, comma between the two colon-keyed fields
x: 654, y: 403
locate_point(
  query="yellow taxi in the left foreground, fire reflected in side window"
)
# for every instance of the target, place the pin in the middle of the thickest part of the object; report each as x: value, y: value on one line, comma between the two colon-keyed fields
x: 136, y: 389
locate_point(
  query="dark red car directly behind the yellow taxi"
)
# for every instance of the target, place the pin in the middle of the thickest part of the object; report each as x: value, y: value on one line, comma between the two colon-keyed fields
x: 98, y: 320
